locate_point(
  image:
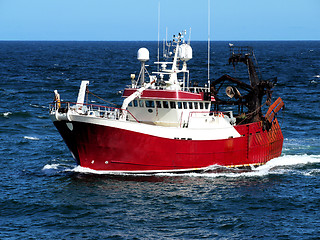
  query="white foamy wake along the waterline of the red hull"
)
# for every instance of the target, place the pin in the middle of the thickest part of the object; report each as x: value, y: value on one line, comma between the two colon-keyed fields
x: 282, y: 165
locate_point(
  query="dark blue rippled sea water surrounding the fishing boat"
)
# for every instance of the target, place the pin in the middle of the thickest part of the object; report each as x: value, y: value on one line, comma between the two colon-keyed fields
x: 44, y: 195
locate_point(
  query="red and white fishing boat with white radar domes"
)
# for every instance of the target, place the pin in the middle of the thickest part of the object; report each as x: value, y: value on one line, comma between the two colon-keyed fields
x: 166, y: 123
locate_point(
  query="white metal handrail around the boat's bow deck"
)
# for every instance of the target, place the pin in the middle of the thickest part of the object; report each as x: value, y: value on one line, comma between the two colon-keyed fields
x: 53, y: 107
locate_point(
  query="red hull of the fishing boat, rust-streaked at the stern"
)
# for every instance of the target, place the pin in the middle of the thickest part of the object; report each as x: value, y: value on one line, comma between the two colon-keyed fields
x: 111, y: 149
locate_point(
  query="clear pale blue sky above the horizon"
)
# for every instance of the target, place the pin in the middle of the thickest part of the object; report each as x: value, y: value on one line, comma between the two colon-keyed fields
x: 138, y: 20
